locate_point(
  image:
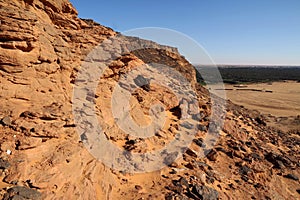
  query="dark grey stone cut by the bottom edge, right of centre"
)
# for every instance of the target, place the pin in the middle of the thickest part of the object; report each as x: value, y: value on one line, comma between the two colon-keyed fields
x: 204, y: 192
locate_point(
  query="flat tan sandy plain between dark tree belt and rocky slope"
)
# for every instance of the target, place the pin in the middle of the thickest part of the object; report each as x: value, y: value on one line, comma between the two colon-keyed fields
x: 278, y: 98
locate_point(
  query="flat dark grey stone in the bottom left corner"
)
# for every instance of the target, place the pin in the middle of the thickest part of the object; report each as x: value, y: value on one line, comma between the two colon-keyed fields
x: 19, y: 192
